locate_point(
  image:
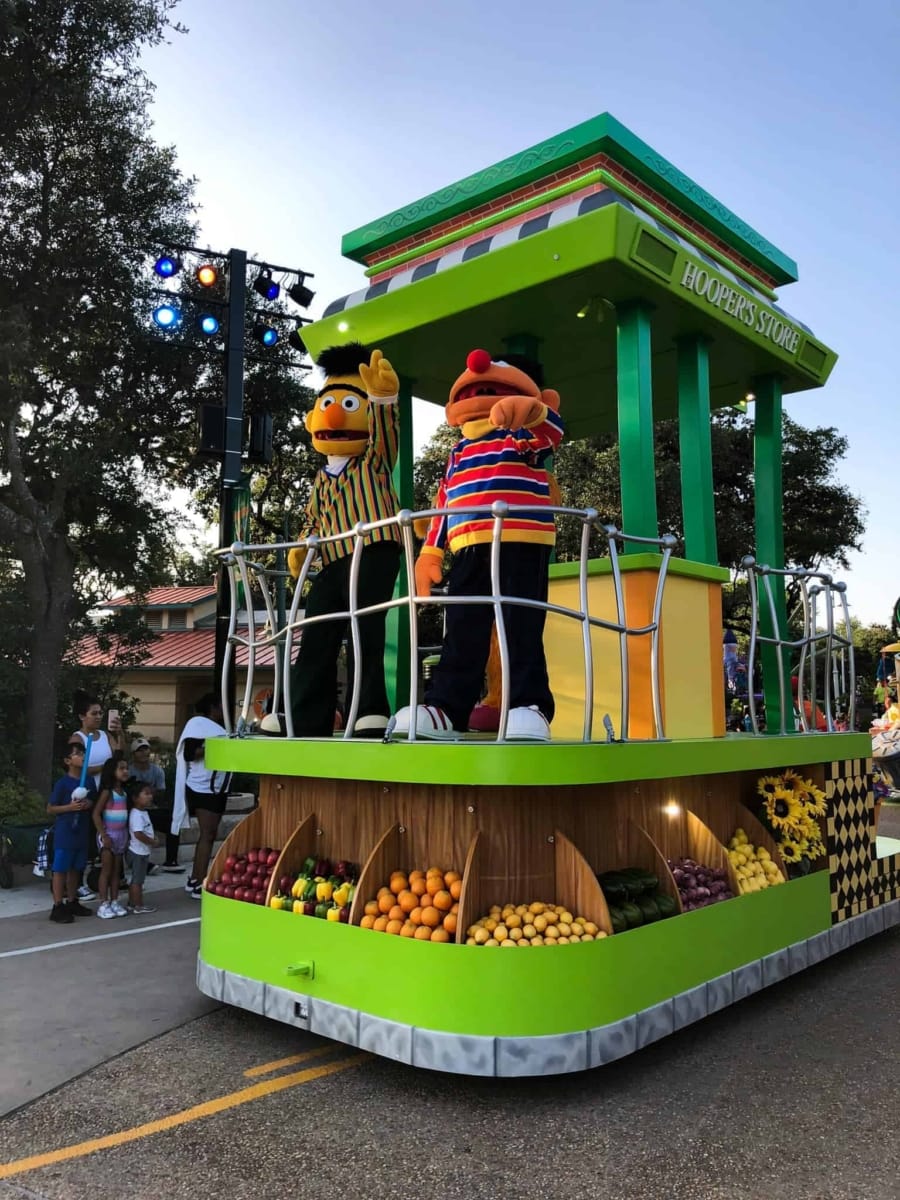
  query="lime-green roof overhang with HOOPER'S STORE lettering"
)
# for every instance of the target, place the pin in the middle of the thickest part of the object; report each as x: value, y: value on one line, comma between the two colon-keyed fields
x: 538, y: 286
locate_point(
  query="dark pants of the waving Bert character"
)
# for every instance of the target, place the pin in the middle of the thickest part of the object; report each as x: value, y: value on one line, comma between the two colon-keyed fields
x: 314, y: 676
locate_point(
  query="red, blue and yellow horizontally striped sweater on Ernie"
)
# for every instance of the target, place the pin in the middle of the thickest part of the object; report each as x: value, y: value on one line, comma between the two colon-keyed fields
x: 497, y: 465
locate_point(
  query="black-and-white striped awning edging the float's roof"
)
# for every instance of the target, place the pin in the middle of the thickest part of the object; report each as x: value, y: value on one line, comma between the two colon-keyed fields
x: 530, y: 227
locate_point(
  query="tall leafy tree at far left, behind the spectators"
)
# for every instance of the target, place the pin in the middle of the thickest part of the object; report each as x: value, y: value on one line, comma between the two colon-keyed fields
x: 93, y: 412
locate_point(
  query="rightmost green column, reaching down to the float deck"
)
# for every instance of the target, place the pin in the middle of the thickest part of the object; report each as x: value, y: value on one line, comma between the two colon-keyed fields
x: 771, y: 543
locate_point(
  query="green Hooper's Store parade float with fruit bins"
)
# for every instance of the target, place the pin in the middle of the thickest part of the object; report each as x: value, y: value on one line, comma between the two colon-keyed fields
x: 656, y: 867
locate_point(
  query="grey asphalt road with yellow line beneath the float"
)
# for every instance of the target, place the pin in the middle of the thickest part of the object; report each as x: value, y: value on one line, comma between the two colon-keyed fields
x: 791, y: 1095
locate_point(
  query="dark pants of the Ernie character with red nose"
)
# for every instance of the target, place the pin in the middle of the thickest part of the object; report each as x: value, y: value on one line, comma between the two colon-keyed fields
x: 458, y: 682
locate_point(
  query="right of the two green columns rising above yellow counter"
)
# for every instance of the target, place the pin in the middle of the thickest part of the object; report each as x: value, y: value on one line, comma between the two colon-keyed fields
x: 697, y: 451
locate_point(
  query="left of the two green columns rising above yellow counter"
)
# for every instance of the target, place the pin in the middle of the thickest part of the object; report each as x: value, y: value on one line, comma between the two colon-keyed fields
x: 638, y: 475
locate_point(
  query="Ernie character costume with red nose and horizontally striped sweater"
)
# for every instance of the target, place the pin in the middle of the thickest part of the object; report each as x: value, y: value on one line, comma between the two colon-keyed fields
x: 511, y: 428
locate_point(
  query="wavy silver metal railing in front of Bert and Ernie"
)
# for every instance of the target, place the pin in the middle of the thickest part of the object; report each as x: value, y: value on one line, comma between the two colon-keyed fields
x: 249, y: 567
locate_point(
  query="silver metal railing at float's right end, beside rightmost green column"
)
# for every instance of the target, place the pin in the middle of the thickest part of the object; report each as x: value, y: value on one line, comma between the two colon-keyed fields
x: 821, y: 645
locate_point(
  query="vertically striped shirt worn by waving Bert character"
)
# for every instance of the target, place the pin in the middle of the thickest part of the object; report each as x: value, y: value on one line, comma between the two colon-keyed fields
x: 362, y: 491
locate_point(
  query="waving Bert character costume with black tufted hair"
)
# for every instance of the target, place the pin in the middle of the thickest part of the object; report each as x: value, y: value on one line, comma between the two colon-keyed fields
x: 355, y: 424
